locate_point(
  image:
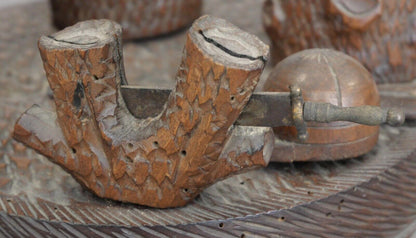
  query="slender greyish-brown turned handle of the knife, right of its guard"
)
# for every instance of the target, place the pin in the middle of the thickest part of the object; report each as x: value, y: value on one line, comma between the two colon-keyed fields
x: 367, y: 115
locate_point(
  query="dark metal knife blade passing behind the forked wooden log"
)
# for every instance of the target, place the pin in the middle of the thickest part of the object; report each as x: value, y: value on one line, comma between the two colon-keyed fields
x: 268, y: 109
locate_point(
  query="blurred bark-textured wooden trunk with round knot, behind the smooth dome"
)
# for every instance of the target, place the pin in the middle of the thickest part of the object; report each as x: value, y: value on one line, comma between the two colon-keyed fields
x: 378, y: 33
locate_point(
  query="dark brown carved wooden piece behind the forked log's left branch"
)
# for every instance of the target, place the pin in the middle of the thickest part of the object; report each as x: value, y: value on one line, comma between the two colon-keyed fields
x: 139, y: 18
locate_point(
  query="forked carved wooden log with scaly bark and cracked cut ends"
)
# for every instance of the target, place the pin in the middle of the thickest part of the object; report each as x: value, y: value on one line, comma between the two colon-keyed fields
x: 163, y: 161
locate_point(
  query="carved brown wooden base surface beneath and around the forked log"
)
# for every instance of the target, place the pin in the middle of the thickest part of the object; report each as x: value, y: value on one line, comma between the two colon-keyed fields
x: 42, y: 200
